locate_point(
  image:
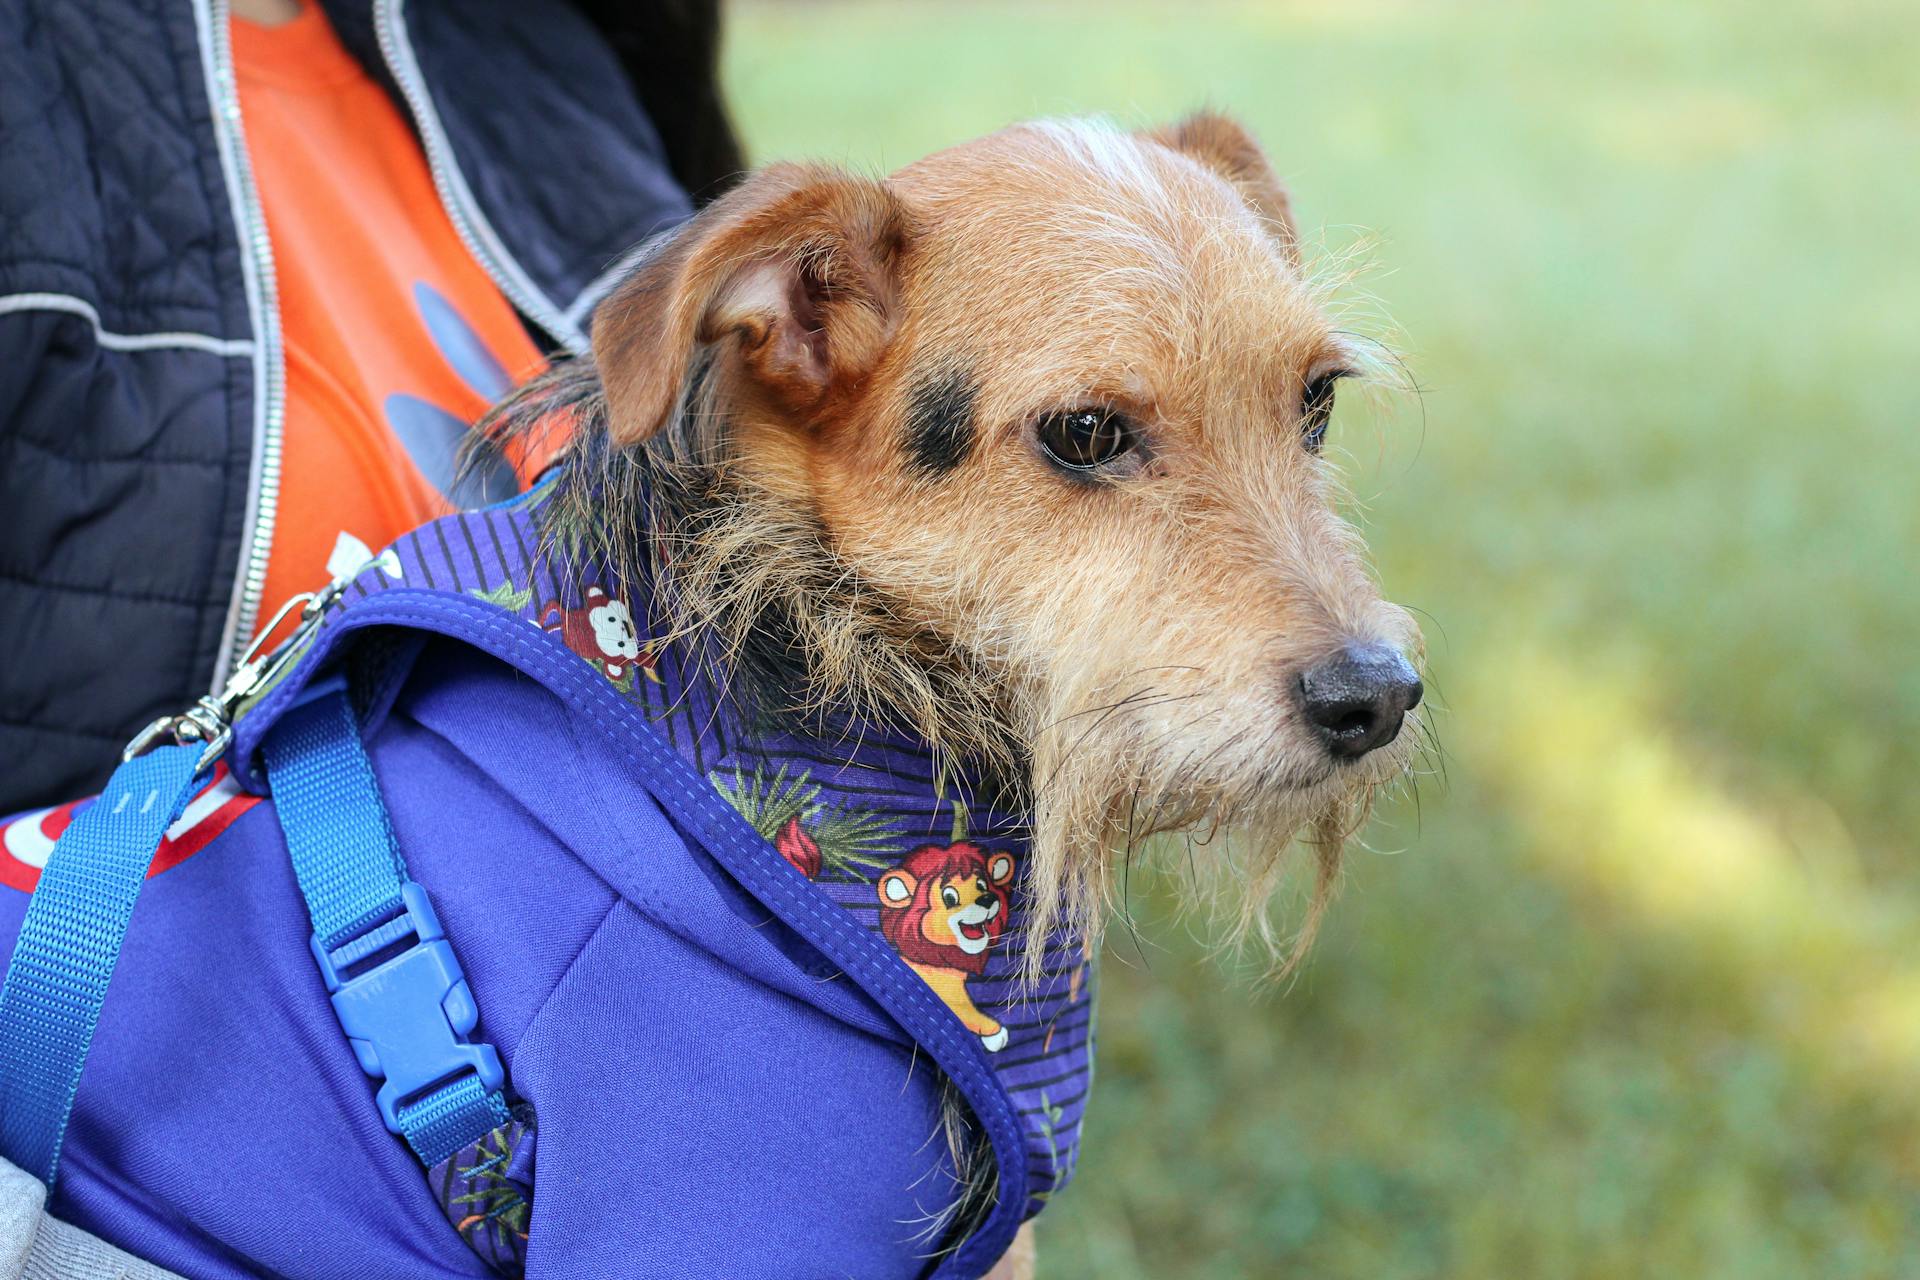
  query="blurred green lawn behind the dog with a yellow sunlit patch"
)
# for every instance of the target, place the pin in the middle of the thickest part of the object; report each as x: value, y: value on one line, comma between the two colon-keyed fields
x: 1637, y: 993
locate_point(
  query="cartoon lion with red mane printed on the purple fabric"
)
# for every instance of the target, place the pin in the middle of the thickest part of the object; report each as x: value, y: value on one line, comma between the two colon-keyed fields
x: 944, y: 909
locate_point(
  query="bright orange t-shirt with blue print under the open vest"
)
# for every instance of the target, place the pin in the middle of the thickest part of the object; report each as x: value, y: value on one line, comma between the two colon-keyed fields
x: 396, y: 341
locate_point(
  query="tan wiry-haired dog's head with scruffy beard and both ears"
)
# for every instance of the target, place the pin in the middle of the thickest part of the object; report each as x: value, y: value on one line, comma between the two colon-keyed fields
x: 1049, y: 408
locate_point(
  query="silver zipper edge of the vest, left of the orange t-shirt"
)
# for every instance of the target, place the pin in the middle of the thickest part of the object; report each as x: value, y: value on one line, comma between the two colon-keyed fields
x: 264, y: 312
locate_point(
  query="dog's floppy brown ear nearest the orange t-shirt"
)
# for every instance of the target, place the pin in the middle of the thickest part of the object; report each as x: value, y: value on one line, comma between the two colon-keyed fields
x: 796, y: 268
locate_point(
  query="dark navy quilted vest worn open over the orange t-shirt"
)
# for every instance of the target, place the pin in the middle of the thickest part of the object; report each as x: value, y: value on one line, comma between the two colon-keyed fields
x: 143, y: 400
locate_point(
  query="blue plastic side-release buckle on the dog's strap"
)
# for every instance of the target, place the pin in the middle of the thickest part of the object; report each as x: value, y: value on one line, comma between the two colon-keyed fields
x: 408, y: 1016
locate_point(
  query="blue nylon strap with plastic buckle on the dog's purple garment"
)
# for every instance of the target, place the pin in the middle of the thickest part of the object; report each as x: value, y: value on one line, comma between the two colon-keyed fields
x: 406, y: 1016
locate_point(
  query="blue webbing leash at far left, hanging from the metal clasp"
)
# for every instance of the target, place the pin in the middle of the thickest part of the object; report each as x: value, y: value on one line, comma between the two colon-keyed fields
x: 70, y: 943
